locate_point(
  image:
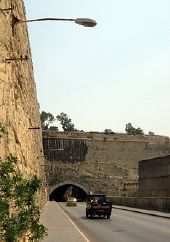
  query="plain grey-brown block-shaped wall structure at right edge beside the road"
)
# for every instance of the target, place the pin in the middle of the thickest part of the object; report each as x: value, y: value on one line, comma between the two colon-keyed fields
x: 154, y: 177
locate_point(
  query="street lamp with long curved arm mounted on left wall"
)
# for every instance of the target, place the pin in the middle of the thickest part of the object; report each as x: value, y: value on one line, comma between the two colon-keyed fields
x: 86, y: 22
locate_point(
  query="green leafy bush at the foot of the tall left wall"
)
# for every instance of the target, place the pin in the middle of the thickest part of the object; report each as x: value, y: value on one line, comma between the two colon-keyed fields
x: 19, y: 214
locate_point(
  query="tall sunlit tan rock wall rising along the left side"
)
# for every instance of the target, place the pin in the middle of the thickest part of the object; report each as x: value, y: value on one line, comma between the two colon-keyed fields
x: 19, y: 110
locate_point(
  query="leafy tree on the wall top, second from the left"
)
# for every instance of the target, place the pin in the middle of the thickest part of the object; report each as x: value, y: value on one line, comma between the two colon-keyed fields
x: 65, y: 122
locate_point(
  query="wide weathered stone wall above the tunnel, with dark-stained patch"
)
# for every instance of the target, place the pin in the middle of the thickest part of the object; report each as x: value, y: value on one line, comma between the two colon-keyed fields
x: 96, y: 161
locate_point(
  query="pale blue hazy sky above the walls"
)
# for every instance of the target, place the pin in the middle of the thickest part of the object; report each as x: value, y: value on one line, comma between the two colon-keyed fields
x: 104, y: 77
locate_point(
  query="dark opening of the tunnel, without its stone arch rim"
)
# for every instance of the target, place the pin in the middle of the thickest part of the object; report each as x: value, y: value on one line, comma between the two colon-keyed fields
x: 61, y: 193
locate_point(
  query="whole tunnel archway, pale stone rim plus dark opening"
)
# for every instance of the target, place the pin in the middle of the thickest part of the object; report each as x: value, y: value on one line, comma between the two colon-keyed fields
x: 60, y: 191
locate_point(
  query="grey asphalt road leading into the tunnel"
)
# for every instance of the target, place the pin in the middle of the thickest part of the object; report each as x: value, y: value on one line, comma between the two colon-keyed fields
x: 123, y: 226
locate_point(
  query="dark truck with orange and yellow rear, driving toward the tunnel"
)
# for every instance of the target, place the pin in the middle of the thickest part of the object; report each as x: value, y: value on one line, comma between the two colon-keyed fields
x: 97, y: 204
